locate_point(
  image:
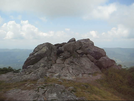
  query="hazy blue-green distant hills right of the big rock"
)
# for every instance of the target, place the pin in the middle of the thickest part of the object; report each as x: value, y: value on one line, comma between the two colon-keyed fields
x: 123, y: 56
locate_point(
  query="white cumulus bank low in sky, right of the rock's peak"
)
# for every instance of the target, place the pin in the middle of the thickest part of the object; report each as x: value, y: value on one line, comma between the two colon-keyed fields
x: 116, y: 33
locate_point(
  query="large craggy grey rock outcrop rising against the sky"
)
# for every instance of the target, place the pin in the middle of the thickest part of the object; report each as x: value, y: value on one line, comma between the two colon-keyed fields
x: 68, y: 60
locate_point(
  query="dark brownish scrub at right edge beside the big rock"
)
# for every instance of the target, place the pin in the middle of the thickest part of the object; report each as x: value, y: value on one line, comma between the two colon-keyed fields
x: 121, y: 81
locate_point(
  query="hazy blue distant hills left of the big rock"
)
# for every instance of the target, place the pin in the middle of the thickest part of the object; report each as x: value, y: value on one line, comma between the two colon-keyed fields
x: 13, y: 57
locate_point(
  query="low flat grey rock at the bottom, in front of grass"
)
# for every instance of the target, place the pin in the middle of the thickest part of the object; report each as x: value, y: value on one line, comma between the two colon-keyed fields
x: 49, y: 92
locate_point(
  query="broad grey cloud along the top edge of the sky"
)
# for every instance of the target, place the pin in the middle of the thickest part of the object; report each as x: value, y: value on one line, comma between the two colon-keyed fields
x: 51, y: 8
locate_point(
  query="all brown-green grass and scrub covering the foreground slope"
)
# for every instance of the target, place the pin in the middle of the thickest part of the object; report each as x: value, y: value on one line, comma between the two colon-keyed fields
x: 114, y: 85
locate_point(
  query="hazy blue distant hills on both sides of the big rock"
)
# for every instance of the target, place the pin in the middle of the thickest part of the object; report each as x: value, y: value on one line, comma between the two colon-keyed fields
x: 16, y: 57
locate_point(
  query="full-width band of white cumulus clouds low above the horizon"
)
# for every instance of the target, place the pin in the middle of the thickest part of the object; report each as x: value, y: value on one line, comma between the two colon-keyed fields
x: 25, y: 30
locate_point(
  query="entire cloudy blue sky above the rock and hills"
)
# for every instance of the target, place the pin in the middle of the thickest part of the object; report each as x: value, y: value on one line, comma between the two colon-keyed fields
x: 24, y: 24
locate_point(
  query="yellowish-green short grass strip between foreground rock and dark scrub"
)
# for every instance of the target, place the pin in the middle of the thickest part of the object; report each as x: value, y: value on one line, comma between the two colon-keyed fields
x: 85, y: 90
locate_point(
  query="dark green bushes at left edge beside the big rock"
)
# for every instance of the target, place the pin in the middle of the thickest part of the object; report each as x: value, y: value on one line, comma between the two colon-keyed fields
x: 9, y: 69
